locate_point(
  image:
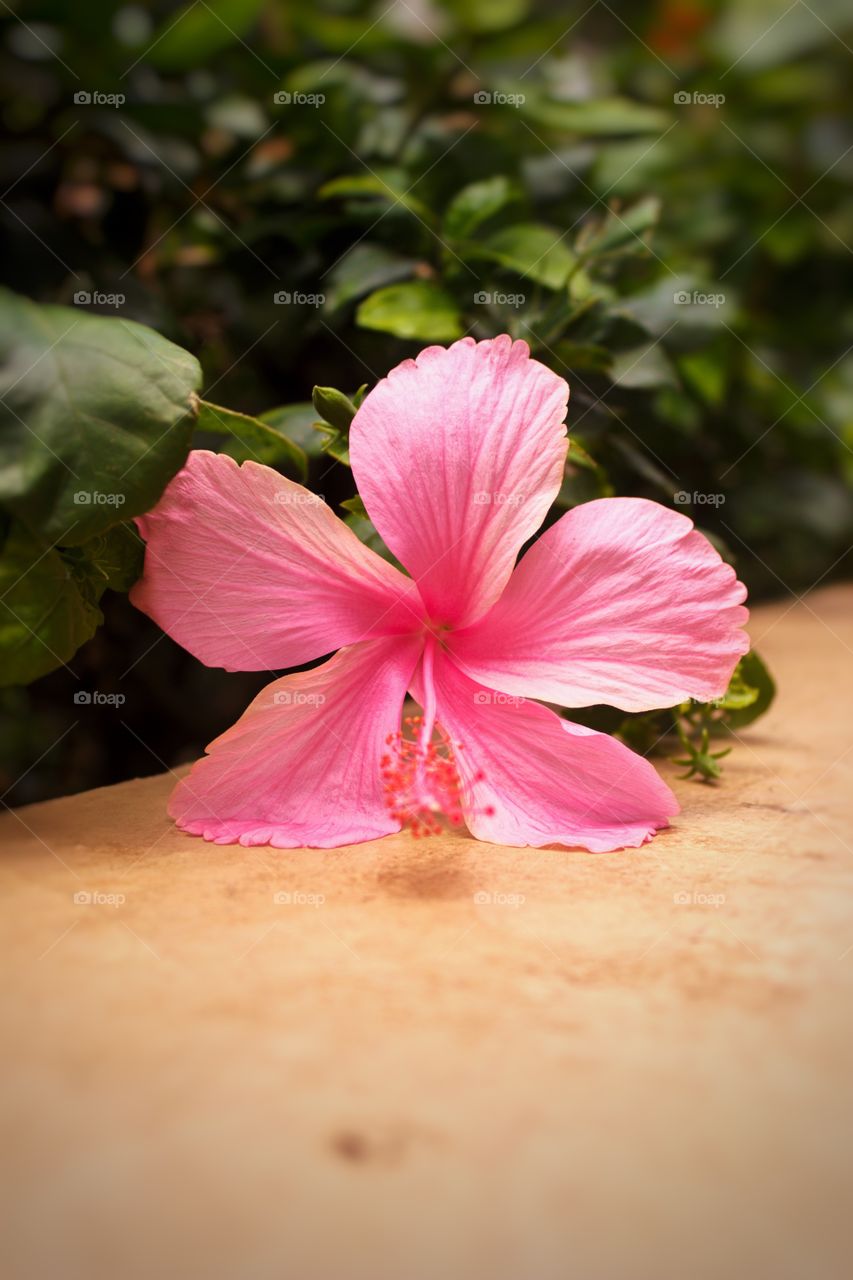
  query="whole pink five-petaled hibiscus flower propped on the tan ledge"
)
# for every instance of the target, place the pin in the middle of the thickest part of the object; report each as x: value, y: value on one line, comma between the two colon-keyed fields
x: 458, y: 456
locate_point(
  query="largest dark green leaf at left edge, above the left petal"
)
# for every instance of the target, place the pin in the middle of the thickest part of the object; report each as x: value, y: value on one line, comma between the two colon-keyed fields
x: 95, y: 420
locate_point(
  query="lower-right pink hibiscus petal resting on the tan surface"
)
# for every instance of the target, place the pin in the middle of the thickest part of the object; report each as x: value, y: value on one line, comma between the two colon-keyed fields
x: 532, y: 779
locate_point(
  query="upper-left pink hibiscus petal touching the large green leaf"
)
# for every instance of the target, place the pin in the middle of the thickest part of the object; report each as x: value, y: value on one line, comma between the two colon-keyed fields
x: 253, y: 573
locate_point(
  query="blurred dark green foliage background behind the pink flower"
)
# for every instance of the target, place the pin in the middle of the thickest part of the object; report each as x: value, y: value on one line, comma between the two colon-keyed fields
x: 655, y: 196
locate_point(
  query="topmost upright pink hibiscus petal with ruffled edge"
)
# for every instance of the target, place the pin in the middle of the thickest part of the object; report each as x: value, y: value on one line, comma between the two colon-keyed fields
x: 458, y: 456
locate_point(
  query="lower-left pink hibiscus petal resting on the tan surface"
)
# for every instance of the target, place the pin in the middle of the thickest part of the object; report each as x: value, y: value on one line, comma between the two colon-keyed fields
x: 302, y: 766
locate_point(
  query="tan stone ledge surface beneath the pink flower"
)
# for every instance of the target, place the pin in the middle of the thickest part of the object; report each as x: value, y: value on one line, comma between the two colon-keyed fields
x: 626, y: 1066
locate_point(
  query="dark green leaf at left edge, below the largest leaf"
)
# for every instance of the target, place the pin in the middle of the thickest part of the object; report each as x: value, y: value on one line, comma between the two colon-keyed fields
x: 48, y: 610
